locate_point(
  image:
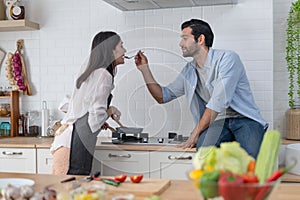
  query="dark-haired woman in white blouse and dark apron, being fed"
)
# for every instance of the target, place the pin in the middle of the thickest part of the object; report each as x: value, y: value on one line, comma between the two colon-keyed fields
x: 88, y: 107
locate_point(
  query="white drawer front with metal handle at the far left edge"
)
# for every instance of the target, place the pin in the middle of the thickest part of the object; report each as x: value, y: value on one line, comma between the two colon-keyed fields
x: 19, y: 160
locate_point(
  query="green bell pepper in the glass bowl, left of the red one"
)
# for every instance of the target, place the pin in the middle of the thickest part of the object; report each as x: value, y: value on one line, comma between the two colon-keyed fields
x: 209, y: 184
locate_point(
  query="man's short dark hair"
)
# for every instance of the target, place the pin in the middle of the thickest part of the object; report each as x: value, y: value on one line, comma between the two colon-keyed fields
x: 200, y: 27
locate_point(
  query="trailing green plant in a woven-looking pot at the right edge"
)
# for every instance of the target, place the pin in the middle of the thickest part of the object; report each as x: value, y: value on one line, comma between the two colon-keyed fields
x: 293, y: 66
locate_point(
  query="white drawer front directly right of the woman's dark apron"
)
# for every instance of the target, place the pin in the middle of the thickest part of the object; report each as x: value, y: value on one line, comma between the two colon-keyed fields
x: 113, y: 162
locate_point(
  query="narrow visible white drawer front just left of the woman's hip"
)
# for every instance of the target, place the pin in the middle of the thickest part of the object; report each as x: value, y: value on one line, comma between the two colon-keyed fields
x: 44, y: 161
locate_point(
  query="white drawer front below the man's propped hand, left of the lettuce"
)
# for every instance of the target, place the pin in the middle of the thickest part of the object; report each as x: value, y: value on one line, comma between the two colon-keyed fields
x: 170, y: 165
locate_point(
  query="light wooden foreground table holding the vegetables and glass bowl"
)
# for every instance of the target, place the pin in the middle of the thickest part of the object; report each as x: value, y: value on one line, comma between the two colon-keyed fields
x: 178, y: 189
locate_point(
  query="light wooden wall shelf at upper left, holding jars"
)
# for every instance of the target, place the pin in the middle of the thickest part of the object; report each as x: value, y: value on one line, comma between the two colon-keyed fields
x: 18, y: 25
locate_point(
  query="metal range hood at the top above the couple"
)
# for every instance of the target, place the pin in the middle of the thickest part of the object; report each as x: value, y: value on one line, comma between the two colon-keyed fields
x: 128, y: 5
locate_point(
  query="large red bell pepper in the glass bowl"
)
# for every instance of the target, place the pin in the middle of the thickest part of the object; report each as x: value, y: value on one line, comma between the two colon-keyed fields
x: 229, y: 186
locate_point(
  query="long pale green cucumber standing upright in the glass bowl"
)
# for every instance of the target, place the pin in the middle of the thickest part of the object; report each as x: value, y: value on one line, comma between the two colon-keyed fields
x: 267, y: 155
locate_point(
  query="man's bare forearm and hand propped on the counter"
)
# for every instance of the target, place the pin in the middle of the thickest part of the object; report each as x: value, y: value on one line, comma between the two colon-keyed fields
x: 207, y: 118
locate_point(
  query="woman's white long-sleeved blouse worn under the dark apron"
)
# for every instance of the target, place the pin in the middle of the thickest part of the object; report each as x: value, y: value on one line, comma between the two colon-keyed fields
x: 90, y: 97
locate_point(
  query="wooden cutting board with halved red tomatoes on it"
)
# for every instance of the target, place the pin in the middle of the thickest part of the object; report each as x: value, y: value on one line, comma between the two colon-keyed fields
x: 147, y: 187
